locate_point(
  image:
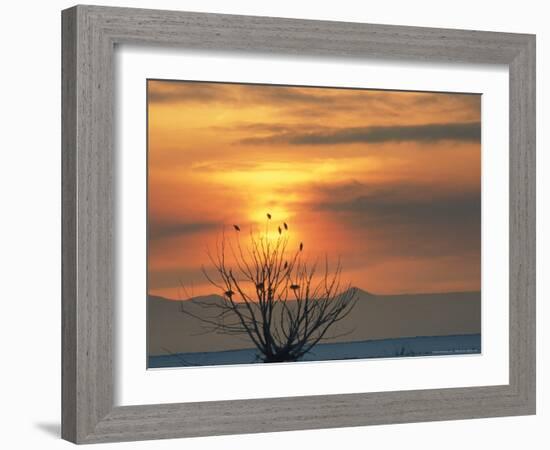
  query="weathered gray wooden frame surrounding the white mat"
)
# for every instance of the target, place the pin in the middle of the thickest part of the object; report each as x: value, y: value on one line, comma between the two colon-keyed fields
x: 89, y: 36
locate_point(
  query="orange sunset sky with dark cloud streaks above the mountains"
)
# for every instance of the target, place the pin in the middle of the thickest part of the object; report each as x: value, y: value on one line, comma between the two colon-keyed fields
x: 387, y: 181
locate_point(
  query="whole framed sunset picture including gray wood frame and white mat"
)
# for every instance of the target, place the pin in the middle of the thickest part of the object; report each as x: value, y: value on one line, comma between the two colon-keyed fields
x: 278, y: 224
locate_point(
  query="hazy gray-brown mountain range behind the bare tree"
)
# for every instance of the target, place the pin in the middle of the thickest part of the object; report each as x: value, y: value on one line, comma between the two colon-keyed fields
x: 373, y: 317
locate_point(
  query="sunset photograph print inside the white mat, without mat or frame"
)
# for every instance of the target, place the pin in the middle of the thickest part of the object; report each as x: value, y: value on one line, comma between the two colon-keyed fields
x: 247, y: 215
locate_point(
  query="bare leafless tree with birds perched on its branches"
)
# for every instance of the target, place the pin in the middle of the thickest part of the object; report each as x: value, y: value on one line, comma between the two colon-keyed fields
x: 271, y: 294
